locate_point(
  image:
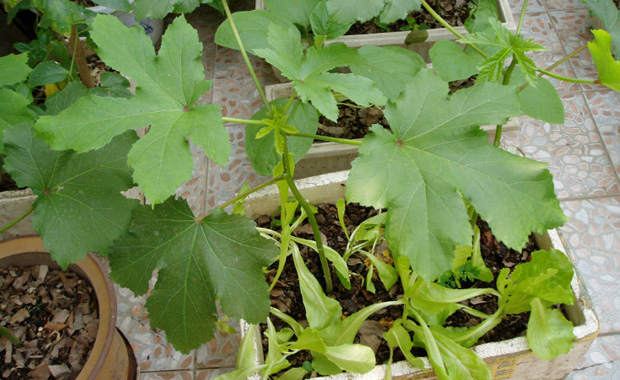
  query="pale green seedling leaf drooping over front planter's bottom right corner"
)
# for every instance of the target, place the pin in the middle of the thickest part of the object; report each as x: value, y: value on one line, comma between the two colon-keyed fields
x: 549, y: 334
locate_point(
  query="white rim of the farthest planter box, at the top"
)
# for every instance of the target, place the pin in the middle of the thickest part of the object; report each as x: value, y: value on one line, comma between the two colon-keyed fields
x: 422, y: 48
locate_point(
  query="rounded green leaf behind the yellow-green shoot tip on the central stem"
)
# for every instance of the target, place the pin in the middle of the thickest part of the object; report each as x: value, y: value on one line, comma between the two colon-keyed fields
x: 262, y: 152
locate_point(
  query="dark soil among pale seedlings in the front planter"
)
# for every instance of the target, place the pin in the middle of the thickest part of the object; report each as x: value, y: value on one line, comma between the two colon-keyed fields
x: 286, y: 295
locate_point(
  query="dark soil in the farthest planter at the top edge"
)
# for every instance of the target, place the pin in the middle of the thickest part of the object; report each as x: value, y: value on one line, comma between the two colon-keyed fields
x: 455, y: 12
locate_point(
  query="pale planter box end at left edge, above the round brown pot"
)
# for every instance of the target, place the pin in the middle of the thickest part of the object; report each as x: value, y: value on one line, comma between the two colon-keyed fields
x: 12, y: 205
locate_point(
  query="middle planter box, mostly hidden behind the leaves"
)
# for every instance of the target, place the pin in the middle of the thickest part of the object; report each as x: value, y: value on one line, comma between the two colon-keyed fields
x: 328, y: 157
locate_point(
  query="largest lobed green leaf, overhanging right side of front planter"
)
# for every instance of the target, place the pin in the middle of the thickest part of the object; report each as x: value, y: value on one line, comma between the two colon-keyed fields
x: 435, y: 155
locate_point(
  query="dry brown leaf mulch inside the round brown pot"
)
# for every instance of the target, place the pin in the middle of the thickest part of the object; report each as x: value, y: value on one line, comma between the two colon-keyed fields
x: 54, y: 315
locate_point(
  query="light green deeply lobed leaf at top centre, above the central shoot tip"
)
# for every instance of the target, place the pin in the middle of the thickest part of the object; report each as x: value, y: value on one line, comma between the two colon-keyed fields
x: 310, y: 75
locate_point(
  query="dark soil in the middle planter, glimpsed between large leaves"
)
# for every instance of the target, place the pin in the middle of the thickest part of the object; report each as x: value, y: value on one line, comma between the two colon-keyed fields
x: 354, y: 122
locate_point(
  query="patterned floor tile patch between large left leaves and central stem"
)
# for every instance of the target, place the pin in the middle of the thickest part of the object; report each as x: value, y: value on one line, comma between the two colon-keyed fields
x: 224, y: 183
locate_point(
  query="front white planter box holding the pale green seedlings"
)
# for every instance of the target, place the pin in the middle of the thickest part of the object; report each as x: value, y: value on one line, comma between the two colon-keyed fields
x: 511, y: 359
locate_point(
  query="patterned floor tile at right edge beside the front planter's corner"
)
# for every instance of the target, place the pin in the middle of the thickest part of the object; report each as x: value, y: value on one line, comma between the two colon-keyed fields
x: 592, y: 237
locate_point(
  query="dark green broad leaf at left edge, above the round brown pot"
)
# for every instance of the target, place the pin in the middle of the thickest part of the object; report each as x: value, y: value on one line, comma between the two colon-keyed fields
x: 79, y: 206
